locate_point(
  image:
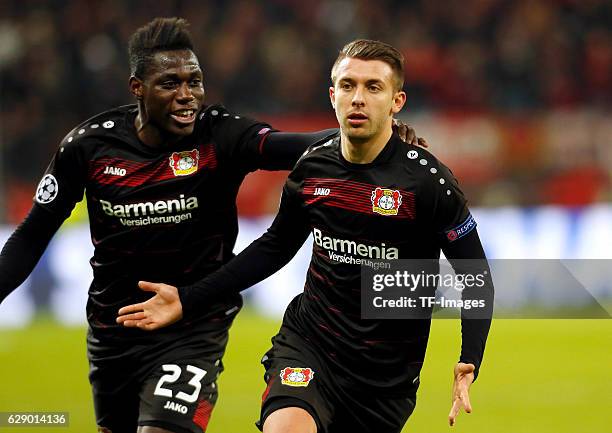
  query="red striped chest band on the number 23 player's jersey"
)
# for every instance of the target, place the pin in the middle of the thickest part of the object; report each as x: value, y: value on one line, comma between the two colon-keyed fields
x: 141, y: 173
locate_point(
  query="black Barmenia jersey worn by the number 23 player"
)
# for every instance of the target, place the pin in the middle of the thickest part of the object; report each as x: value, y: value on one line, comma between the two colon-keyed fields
x: 157, y: 214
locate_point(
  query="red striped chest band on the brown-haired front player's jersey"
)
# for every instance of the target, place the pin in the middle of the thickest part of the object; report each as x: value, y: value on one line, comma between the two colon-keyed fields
x: 352, y: 196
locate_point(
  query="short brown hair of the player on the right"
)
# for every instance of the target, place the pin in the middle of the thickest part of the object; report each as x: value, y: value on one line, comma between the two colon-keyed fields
x: 366, y: 49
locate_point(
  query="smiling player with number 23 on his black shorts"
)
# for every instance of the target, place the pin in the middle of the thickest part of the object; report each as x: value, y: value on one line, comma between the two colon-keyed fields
x: 160, y: 178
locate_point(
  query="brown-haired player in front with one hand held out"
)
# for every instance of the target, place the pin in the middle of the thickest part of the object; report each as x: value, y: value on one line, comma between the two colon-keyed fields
x: 329, y: 370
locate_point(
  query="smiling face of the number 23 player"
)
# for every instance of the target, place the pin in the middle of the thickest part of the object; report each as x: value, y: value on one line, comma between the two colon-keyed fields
x: 169, y: 96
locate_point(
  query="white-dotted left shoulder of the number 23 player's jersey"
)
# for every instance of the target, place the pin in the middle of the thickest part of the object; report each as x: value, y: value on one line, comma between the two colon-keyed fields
x: 103, y: 126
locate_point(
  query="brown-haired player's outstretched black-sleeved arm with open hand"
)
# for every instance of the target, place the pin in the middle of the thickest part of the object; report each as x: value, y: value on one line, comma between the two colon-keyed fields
x: 258, y: 261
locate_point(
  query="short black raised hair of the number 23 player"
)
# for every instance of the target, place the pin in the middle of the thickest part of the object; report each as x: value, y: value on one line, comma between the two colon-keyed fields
x: 161, y: 34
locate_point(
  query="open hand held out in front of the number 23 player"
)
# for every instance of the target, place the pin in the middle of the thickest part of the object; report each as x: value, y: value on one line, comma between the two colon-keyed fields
x: 161, y: 310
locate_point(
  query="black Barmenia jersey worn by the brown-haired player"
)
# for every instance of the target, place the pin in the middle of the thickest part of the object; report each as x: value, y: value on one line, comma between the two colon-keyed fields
x: 403, y: 205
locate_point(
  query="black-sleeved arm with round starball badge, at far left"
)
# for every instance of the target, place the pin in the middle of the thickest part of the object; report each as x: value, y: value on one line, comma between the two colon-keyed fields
x: 59, y: 190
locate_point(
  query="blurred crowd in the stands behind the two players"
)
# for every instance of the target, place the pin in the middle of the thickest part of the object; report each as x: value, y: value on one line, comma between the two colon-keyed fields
x: 515, y: 96
